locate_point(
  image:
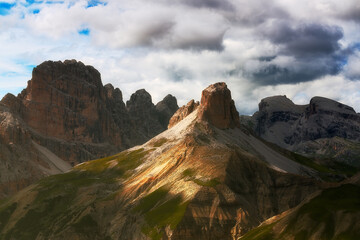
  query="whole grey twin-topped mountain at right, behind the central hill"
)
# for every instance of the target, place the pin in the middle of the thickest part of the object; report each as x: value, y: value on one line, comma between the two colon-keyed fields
x: 324, y: 127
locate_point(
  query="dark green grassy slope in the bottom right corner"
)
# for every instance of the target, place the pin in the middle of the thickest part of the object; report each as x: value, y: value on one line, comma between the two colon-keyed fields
x: 333, y: 213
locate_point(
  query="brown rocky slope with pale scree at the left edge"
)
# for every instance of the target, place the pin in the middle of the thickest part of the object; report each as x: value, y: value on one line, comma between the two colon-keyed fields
x: 21, y: 162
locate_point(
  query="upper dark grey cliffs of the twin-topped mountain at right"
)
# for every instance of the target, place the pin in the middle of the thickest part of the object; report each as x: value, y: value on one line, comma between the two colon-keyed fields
x: 291, y: 123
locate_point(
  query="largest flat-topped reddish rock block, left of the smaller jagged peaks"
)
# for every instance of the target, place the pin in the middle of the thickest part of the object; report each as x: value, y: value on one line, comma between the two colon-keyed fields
x: 67, y: 101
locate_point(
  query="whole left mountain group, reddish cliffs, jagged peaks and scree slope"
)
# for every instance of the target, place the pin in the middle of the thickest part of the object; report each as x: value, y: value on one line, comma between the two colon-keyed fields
x: 66, y: 116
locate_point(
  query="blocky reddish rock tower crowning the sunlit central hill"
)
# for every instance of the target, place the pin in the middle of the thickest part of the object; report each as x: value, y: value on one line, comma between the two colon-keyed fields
x: 217, y: 107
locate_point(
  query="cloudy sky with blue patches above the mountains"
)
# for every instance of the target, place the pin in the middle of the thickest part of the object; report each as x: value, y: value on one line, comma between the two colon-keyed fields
x: 260, y: 48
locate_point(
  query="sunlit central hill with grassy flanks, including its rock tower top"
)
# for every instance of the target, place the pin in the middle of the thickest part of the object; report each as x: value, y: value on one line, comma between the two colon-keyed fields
x: 204, y: 178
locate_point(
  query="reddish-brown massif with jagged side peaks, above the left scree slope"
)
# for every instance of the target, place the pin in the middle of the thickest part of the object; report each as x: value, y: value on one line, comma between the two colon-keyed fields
x: 66, y: 102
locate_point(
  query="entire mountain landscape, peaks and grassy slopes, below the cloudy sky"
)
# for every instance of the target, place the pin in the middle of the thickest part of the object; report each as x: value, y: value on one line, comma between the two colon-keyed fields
x: 211, y: 175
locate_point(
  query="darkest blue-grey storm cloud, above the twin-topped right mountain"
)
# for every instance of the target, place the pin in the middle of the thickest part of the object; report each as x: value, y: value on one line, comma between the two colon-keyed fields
x: 305, y: 52
